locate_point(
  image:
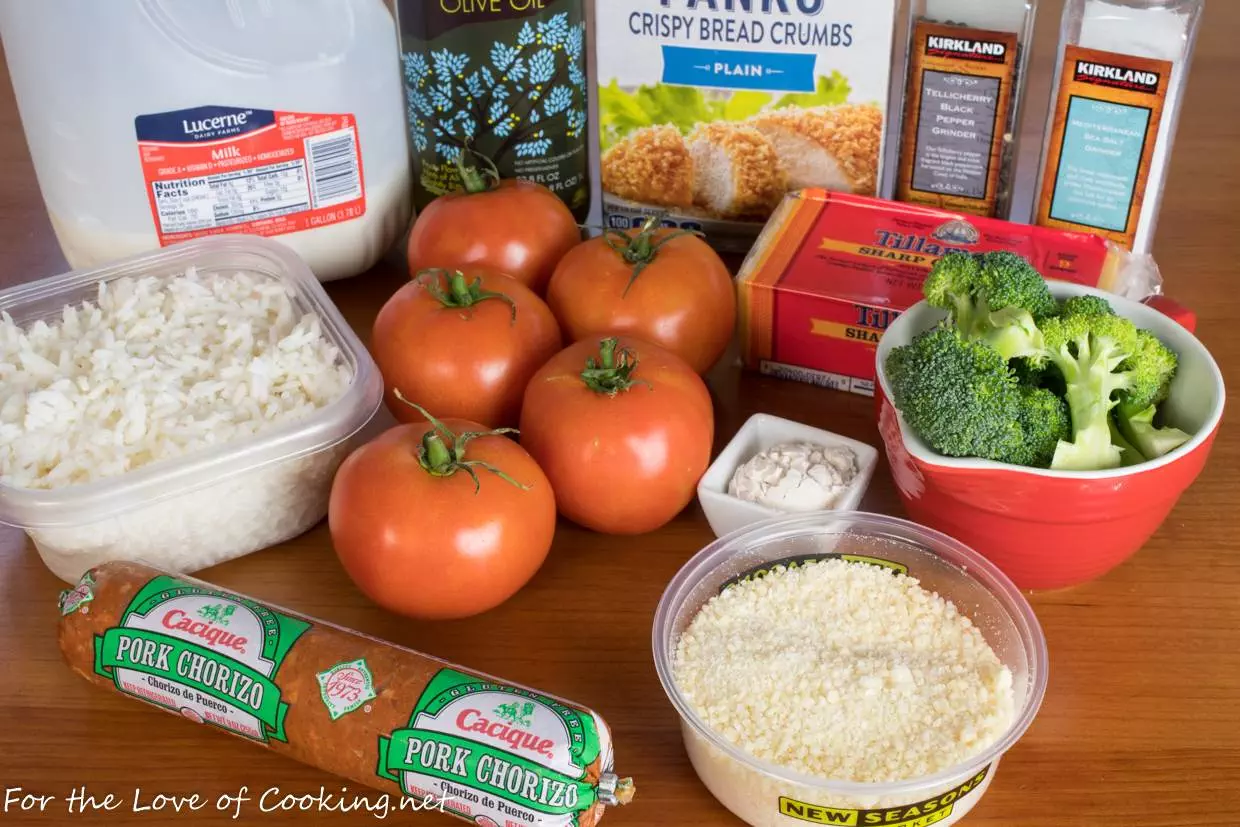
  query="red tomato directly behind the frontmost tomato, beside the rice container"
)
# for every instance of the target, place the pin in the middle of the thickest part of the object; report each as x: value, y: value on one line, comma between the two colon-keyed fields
x: 463, y: 344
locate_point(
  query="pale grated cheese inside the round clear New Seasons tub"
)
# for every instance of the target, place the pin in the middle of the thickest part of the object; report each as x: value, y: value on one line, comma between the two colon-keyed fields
x: 844, y: 671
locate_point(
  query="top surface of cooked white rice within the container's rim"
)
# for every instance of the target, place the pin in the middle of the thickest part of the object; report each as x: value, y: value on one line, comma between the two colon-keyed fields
x: 157, y: 369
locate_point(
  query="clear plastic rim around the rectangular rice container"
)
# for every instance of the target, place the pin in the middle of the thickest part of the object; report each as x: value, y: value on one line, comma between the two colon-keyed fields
x: 163, y: 479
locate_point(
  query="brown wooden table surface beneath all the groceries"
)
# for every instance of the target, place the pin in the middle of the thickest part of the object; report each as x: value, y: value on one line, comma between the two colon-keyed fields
x: 1141, y: 723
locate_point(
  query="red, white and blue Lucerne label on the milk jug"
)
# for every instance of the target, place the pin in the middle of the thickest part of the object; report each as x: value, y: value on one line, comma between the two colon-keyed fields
x: 219, y: 169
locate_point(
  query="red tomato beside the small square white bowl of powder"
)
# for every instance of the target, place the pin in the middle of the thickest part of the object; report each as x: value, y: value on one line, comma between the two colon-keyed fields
x: 623, y: 431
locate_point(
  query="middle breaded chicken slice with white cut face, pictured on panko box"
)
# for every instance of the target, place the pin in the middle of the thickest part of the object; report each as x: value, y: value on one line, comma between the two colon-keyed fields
x: 736, y: 170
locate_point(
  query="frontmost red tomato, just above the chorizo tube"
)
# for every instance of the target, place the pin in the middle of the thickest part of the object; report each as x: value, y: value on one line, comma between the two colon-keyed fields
x: 425, y: 537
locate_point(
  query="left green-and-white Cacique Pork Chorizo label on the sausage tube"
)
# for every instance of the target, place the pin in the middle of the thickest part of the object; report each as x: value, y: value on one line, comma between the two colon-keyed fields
x: 209, y: 655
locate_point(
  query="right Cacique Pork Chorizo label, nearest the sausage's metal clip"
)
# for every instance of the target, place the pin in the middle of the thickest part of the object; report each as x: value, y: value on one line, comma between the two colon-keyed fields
x: 509, y: 754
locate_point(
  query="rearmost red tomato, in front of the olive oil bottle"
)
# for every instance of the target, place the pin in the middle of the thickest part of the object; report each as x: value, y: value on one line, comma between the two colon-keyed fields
x: 516, y: 228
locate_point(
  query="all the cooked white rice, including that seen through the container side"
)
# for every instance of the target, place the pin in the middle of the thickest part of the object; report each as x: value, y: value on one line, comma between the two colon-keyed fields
x: 157, y: 369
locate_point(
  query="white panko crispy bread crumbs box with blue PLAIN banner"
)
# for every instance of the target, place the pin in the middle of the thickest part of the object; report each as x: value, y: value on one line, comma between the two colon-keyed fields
x: 711, y: 111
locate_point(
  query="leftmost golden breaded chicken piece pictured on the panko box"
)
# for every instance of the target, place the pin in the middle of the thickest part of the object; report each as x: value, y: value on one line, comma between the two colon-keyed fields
x: 653, y: 166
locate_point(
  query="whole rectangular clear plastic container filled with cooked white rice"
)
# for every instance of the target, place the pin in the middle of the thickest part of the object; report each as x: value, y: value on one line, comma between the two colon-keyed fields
x: 182, y: 407
